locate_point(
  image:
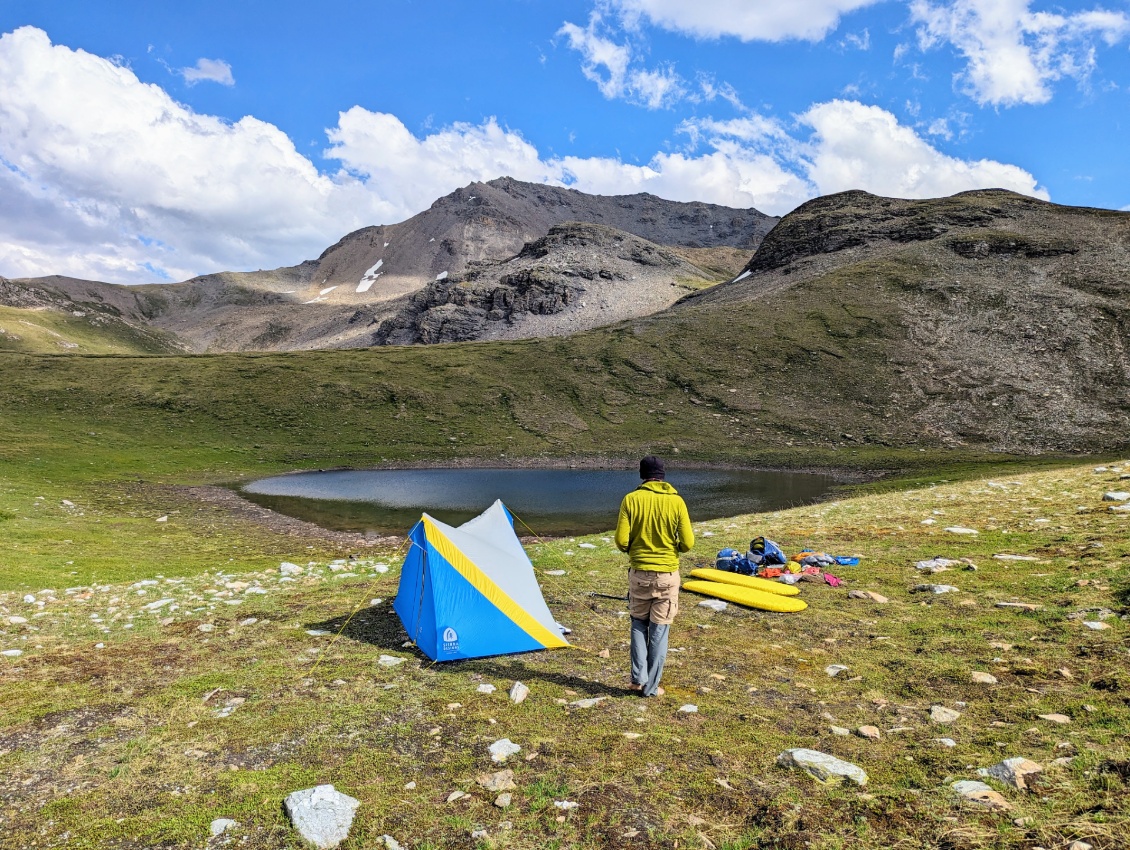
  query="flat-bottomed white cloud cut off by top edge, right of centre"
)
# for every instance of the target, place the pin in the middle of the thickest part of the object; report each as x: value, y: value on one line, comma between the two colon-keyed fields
x: 770, y: 21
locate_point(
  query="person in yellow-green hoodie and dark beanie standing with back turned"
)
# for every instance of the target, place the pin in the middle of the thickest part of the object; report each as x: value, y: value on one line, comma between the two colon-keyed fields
x: 654, y: 527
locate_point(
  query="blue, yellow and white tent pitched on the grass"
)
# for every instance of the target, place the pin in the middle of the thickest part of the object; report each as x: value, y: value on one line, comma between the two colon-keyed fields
x: 471, y: 592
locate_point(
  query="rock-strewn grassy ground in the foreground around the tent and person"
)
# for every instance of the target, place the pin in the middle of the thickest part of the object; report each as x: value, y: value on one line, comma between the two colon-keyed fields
x: 126, y: 725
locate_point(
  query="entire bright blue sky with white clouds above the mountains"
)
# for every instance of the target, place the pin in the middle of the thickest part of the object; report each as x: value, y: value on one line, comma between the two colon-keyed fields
x: 155, y: 141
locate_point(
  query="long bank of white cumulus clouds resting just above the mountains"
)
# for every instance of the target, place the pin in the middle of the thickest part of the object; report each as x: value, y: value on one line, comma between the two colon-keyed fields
x: 106, y: 177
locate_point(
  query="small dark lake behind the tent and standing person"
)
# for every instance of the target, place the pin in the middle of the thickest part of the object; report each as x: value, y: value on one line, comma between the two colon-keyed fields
x: 552, y: 502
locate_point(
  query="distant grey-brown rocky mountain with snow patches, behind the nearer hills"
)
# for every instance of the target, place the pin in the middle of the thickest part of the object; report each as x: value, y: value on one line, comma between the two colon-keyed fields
x: 373, y: 271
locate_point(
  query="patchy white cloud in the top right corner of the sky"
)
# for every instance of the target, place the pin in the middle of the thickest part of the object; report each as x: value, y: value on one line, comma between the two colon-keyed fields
x: 1014, y: 55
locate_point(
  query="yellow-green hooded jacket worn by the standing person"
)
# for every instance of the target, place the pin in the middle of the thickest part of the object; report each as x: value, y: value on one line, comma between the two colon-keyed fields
x: 655, y: 527
